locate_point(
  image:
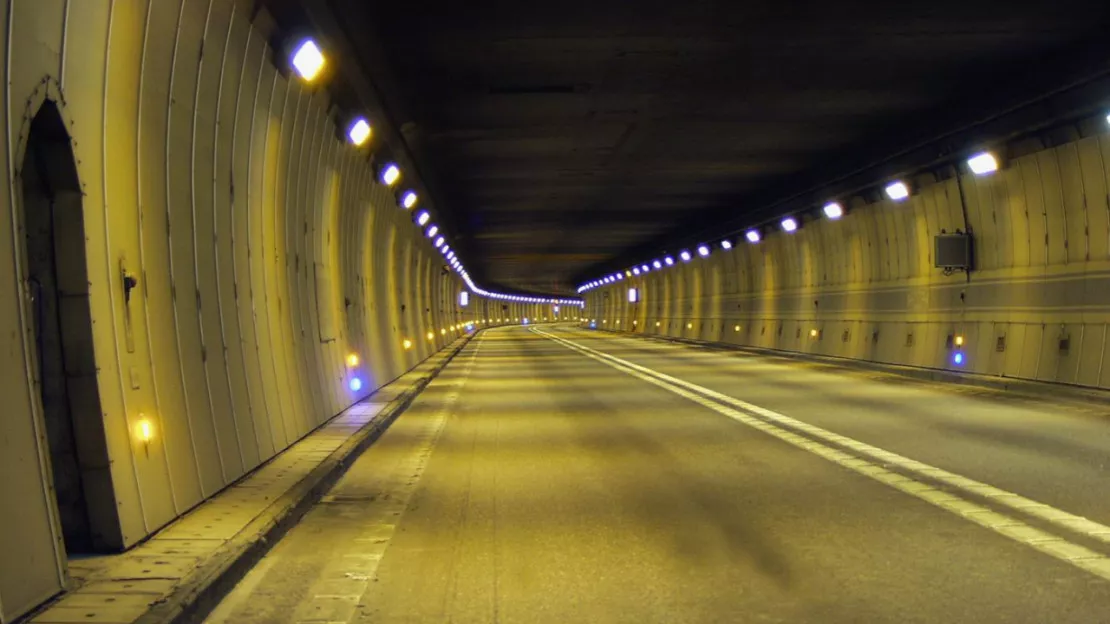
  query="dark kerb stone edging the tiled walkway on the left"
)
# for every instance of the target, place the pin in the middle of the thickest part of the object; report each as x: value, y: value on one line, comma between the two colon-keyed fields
x: 196, y: 598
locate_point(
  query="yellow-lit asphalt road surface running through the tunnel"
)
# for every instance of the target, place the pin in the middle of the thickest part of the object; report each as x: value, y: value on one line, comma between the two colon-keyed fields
x: 537, y: 480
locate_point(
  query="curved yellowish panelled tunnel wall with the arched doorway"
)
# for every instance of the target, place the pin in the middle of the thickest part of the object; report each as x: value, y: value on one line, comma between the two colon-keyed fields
x: 265, y: 254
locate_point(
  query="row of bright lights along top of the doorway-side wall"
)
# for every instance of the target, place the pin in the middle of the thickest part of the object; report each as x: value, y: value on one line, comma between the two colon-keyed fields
x: 309, y: 62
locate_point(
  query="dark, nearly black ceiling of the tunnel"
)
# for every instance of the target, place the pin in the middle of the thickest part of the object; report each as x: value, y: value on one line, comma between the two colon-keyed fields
x: 560, y: 137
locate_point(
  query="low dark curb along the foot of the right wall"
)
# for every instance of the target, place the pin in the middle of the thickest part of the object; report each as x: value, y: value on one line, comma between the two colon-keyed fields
x: 1030, y: 389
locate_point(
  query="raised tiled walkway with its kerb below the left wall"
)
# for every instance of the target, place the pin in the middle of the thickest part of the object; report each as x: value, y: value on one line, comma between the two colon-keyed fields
x: 185, y: 569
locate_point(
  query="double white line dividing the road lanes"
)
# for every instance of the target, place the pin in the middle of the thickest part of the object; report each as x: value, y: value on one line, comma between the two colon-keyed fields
x: 1014, y: 529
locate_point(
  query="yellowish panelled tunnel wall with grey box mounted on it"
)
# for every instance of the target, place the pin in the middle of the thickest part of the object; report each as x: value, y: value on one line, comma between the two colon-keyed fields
x: 865, y: 287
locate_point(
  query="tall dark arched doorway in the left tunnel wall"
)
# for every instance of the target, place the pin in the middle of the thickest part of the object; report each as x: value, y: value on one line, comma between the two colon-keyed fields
x: 66, y: 374
